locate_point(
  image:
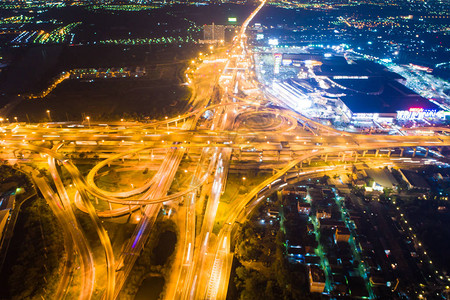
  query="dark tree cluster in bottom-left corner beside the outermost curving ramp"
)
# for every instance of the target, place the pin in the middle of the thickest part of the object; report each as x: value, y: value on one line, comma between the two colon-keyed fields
x: 35, y: 254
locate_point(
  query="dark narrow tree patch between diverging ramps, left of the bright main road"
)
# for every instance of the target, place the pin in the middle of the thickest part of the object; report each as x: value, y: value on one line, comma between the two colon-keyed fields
x: 152, y: 260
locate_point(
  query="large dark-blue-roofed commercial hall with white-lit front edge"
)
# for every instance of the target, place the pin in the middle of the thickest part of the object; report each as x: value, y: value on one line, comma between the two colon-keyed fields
x: 366, y: 91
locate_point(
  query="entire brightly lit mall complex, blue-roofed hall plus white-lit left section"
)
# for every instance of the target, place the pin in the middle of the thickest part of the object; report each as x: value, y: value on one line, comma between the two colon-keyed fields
x: 354, y: 90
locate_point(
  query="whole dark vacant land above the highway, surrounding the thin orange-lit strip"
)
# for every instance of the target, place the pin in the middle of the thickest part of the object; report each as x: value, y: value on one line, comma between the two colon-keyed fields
x: 155, y: 95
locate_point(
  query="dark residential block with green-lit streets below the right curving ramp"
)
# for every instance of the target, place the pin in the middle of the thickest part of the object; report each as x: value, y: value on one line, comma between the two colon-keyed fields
x: 321, y: 235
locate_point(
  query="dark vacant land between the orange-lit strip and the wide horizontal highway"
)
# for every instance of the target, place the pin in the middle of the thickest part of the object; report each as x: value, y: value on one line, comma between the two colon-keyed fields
x: 108, y: 99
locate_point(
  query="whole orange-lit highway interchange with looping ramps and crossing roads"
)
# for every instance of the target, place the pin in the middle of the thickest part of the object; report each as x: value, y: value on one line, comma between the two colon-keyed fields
x: 241, y: 129
